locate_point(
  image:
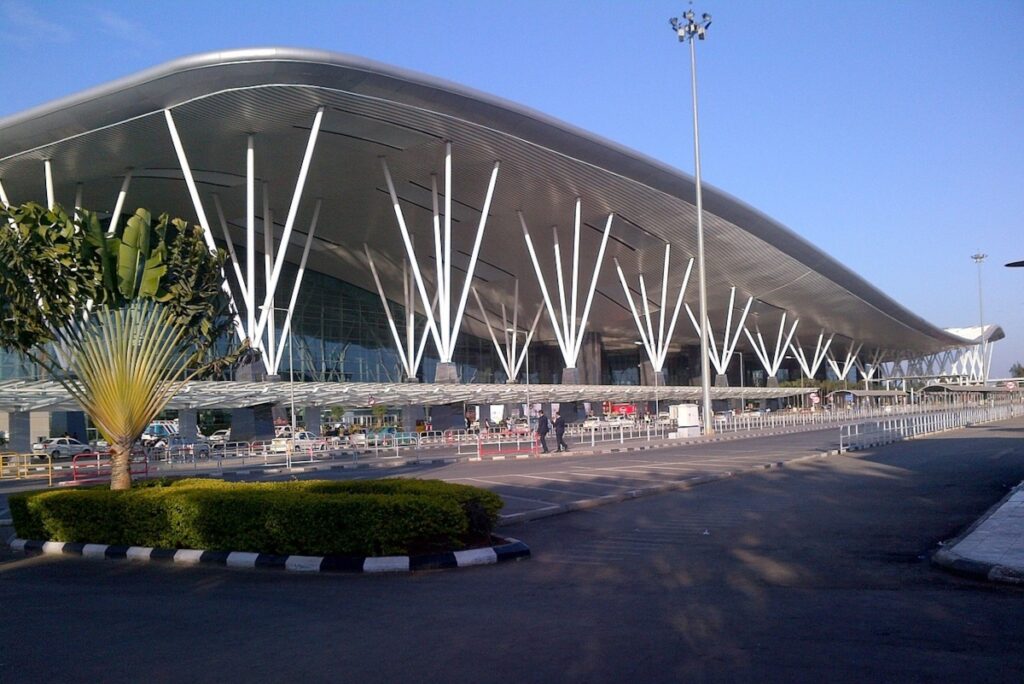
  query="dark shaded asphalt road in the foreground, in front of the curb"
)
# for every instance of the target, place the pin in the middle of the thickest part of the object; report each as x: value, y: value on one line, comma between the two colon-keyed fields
x: 816, y: 572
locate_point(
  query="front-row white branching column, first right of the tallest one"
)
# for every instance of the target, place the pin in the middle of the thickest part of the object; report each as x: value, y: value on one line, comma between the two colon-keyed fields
x: 445, y: 329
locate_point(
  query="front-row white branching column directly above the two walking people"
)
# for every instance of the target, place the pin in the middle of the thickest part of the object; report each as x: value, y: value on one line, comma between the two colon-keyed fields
x: 569, y: 330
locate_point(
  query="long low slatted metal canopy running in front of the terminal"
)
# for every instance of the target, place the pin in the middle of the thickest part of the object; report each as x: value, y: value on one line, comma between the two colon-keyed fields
x: 50, y: 396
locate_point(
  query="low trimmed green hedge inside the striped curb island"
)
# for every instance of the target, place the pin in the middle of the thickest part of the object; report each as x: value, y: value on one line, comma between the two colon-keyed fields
x: 314, y: 518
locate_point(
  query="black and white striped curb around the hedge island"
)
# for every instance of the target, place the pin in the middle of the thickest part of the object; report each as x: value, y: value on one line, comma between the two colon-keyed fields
x: 509, y: 549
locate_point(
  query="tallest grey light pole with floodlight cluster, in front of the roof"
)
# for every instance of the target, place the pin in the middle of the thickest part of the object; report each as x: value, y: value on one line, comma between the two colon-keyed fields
x: 690, y: 30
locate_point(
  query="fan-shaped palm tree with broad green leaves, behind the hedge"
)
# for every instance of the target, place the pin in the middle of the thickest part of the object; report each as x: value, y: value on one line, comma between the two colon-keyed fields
x: 120, y: 321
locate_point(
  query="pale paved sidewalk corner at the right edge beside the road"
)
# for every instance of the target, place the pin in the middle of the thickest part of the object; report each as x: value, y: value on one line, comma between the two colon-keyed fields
x: 993, y: 548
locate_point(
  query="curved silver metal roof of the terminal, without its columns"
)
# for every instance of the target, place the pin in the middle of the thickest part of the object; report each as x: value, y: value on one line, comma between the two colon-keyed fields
x: 374, y: 110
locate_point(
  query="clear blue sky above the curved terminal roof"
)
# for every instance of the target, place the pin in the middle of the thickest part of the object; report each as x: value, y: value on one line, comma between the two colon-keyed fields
x: 889, y: 135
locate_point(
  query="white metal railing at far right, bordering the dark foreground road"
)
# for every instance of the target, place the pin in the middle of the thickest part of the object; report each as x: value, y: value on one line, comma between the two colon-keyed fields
x: 878, y: 434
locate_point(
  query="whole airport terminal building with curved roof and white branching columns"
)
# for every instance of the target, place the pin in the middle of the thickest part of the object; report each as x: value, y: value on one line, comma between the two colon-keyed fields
x: 386, y: 228
